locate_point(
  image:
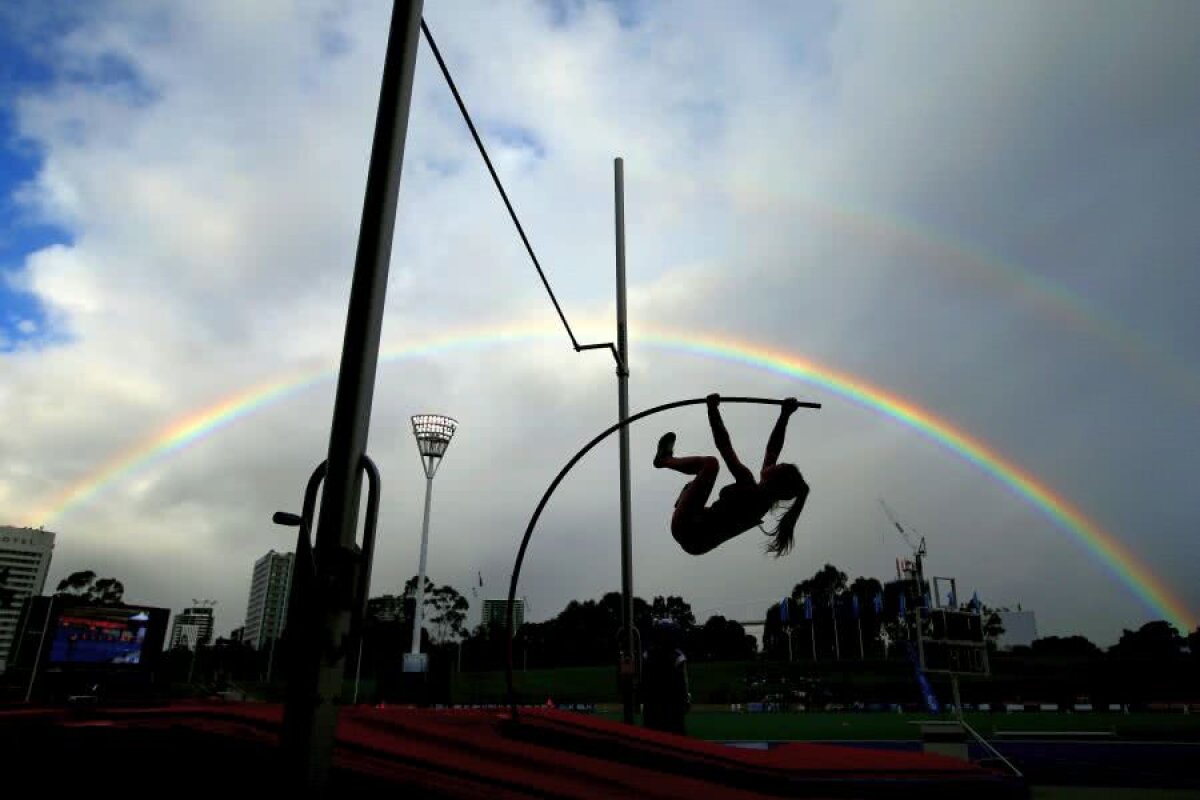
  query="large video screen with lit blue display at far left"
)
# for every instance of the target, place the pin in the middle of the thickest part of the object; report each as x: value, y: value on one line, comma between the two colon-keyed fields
x: 100, y: 636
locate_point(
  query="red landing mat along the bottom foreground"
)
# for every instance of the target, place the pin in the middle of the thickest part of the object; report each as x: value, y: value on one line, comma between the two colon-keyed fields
x: 442, y: 754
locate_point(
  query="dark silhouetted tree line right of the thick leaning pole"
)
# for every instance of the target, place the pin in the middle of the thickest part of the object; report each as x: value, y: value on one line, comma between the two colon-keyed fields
x: 825, y: 617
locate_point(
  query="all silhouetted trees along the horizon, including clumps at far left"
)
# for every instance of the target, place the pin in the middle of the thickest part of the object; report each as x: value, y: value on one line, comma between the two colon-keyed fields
x: 825, y: 618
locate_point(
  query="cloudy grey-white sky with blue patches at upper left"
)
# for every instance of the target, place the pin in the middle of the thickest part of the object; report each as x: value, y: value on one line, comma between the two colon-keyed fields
x: 985, y: 212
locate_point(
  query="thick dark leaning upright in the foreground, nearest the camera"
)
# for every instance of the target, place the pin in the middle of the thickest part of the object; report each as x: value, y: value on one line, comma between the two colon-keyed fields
x: 311, y: 715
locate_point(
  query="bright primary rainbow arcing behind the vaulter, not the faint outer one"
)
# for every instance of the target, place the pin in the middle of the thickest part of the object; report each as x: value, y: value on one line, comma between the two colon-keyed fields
x: 1124, y: 566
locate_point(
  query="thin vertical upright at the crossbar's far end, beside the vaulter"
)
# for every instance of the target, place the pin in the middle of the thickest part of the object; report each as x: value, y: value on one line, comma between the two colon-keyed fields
x: 627, y: 536
